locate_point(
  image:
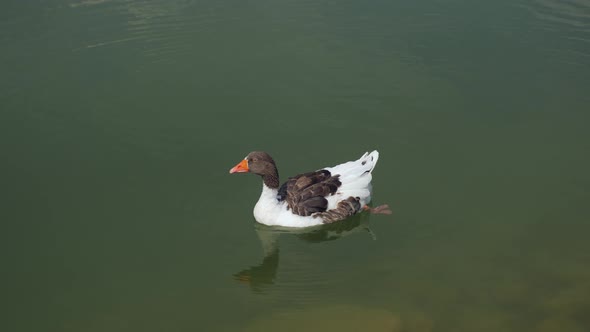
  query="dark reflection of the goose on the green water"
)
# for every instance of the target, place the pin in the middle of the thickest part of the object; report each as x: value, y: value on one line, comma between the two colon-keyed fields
x: 261, y: 276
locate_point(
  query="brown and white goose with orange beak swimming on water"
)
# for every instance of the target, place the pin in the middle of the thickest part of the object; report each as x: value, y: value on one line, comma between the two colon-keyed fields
x: 320, y: 197
